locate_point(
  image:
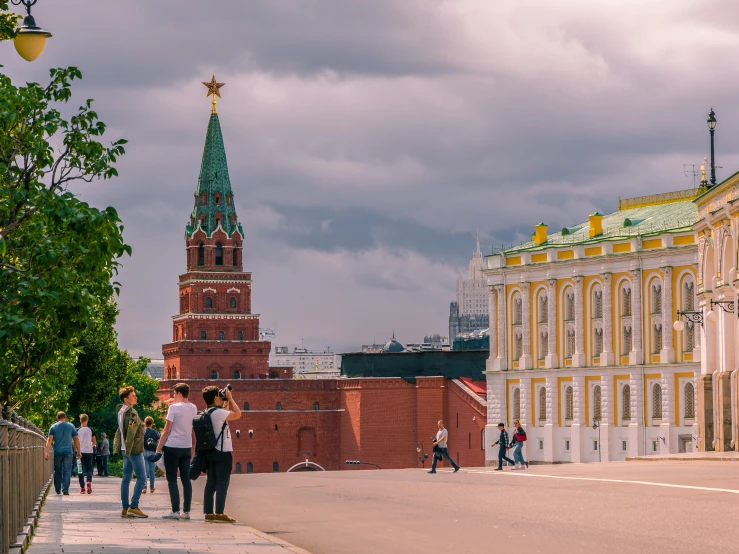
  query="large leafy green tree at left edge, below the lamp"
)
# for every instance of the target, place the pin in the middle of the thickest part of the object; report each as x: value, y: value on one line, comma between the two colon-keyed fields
x: 58, y: 255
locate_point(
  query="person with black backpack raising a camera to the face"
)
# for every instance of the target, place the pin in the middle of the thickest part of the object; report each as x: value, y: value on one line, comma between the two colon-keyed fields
x: 220, y: 460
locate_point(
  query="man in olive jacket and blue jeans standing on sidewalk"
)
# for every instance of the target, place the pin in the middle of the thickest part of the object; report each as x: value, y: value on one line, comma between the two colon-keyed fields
x: 129, y: 442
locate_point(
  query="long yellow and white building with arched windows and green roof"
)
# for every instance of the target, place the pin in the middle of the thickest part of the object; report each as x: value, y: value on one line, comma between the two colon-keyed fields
x: 582, y: 345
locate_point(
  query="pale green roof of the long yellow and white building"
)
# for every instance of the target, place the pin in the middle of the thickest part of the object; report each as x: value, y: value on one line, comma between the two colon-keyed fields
x: 645, y: 220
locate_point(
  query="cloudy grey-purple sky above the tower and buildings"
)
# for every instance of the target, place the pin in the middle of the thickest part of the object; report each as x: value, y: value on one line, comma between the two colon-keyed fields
x: 367, y: 140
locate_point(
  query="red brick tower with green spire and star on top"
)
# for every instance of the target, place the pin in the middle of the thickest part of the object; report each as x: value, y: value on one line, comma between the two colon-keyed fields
x: 215, y: 335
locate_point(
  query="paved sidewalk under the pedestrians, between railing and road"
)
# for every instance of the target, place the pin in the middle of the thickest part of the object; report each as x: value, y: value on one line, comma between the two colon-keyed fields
x: 79, y: 523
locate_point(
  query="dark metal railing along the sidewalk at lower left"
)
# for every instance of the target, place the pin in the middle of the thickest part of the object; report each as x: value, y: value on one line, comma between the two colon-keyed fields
x: 25, y: 477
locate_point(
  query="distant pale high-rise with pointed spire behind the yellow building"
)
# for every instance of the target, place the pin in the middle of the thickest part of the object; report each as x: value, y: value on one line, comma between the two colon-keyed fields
x: 470, y: 311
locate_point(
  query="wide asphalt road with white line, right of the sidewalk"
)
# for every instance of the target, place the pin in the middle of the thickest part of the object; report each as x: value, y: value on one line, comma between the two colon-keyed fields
x: 632, y: 507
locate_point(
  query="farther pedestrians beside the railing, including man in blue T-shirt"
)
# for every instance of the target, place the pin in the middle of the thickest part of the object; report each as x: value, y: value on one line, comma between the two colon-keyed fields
x: 81, y: 443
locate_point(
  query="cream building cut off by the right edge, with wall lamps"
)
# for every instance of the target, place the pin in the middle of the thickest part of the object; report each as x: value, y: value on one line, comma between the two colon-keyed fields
x: 718, y: 231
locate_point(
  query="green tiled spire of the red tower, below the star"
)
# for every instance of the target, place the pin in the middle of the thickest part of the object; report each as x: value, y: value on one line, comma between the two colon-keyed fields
x: 214, y: 202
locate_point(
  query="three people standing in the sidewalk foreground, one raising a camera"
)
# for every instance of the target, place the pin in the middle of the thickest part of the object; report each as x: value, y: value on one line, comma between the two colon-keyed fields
x: 134, y: 437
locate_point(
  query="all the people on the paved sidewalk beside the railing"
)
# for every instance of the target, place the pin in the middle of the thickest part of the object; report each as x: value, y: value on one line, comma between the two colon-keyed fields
x: 141, y: 447
